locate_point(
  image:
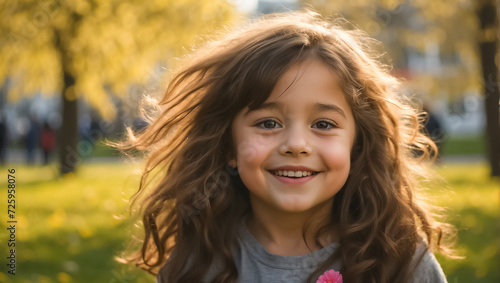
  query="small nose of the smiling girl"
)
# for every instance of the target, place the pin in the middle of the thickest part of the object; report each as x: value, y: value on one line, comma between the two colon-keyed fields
x: 295, y: 142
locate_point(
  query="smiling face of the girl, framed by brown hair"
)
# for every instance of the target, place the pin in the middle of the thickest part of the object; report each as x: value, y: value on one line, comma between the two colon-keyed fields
x: 293, y: 152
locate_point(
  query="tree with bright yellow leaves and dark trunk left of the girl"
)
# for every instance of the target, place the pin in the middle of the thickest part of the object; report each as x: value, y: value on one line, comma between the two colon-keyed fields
x: 88, y: 48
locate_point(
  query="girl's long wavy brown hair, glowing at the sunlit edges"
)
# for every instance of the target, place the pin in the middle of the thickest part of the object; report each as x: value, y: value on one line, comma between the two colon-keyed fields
x: 190, y: 213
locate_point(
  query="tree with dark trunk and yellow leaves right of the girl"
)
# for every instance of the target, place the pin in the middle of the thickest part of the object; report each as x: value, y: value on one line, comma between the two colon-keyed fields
x: 452, y: 26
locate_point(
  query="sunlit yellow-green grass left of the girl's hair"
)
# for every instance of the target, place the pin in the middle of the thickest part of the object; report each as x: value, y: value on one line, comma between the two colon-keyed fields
x: 70, y: 229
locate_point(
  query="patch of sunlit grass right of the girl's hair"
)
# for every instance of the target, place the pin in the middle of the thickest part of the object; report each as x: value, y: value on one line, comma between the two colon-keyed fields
x: 472, y: 199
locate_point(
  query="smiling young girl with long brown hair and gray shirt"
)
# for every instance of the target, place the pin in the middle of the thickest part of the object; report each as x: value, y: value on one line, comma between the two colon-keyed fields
x: 283, y: 151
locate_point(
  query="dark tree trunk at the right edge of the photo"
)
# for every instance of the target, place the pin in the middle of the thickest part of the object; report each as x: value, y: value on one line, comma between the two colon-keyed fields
x: 488, y: 48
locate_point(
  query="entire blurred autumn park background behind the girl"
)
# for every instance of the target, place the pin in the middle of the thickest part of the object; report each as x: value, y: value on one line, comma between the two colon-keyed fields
x: 73, y: 72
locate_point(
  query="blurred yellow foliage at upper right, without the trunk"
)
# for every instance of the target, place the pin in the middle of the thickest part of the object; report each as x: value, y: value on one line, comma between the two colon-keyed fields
x: 451, y: 24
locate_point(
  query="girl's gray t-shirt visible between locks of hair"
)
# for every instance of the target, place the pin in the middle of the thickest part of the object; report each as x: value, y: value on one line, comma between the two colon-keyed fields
x: 256, y: 265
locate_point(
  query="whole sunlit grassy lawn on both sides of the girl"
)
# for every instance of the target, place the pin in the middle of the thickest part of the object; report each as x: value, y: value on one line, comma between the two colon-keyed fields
x: 70, y: 229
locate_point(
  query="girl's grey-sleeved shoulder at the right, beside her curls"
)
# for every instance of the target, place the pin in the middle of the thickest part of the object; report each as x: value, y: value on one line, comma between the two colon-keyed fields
x: 428, y: 269
